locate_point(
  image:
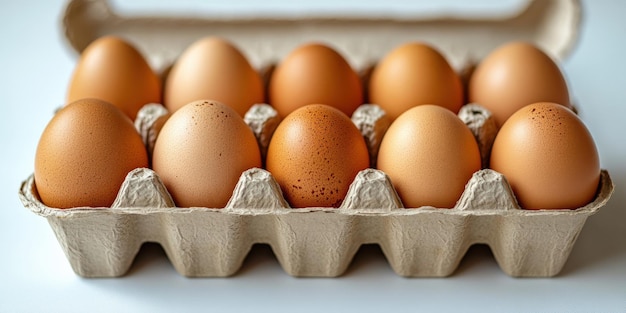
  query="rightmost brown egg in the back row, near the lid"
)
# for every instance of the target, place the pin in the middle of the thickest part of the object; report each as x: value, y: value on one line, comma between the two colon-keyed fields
x: 513, y: 76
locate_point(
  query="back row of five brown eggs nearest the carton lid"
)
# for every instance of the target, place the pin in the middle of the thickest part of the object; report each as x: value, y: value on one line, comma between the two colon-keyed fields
x: 512, y: 76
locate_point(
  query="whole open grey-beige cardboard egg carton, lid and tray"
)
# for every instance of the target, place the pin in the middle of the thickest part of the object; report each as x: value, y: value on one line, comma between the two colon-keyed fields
x: 417, y: 242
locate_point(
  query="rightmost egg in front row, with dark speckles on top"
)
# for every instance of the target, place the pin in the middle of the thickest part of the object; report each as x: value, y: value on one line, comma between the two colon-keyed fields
x: 548, y: 157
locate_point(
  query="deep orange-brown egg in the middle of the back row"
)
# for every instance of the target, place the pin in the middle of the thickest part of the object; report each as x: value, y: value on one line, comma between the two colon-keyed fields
x: 314, y: 73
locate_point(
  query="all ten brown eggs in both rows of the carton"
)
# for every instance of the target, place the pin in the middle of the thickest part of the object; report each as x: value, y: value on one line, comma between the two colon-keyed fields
x: 87, y: 149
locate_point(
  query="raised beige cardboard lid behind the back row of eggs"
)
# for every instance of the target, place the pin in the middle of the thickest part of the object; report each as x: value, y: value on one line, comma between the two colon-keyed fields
x: 553, y: 25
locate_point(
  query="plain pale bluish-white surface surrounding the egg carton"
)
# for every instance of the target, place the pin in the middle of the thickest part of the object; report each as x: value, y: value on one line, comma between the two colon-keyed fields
x: 35, y: 276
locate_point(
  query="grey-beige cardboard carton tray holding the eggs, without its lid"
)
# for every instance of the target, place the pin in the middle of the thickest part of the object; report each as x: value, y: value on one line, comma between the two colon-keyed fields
x: 320, y: 242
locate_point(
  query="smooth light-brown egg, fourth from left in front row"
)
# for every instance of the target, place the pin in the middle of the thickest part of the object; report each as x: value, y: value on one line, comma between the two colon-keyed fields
x: 429, y: 154
